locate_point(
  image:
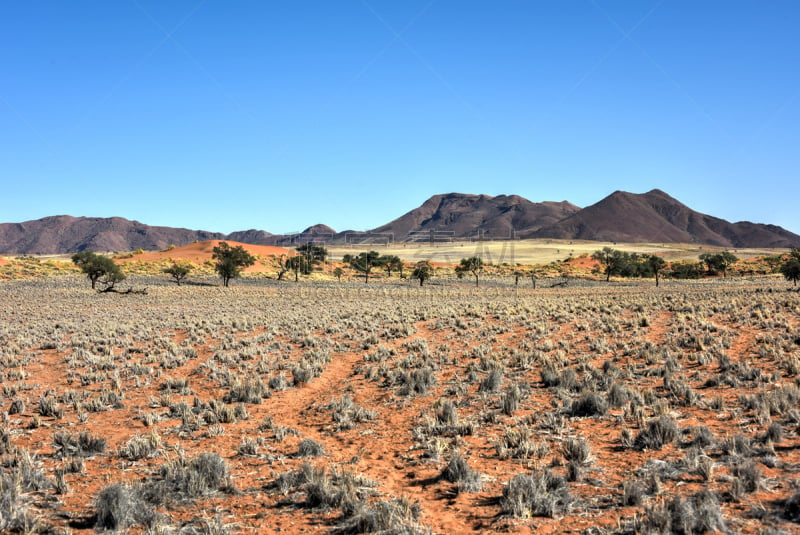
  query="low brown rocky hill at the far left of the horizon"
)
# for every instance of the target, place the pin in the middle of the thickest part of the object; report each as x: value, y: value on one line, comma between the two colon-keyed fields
x: 67, y: 234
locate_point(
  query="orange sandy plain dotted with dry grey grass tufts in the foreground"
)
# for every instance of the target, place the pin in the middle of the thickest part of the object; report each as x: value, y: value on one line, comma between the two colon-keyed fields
x: 351, y: 408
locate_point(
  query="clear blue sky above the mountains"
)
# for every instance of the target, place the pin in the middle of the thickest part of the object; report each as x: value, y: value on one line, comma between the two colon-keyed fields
x: 279, y: 114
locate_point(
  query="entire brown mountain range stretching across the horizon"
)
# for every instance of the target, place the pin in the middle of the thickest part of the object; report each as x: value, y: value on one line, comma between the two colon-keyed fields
x: 621, y: 217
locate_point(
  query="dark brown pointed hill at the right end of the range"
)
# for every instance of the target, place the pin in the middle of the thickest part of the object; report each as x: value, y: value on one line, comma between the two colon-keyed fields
x: 656, y: 217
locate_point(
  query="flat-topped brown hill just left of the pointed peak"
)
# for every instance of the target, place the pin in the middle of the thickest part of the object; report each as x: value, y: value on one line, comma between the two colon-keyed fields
x: 461, y: 216
